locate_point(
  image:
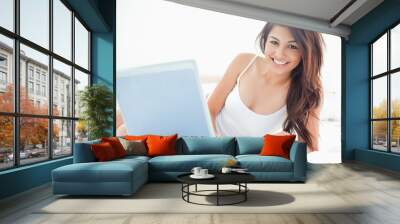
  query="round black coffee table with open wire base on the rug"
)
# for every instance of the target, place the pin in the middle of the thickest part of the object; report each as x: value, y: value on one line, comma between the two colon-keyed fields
x: 238, y: 179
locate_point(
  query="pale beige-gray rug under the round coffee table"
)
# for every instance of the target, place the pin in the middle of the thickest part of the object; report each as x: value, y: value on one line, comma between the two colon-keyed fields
x: 166, y: 198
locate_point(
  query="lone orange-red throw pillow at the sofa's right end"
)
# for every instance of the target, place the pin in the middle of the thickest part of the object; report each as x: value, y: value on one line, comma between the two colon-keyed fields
x: 277, y: 145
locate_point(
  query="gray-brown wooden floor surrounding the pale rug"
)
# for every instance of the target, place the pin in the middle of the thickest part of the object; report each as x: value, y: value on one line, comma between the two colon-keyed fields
x: 354, y: 182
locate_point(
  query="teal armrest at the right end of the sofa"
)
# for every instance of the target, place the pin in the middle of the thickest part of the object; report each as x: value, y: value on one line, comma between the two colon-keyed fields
x: 298, y: 155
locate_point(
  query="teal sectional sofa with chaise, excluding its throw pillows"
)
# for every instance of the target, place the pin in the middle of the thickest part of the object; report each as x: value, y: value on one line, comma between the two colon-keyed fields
x: 125, y: 176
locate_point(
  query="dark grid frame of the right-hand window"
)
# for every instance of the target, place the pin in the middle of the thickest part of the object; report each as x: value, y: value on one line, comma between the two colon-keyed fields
x: 388, y: 74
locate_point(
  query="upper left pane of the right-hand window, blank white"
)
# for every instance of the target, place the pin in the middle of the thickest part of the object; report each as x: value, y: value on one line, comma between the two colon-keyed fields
x: 379, y: 55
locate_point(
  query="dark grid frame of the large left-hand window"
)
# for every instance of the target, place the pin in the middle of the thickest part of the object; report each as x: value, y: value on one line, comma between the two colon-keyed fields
x: 16, y: 115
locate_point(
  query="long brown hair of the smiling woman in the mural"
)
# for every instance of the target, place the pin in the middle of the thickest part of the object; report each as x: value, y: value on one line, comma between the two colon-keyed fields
x: 305, y: 91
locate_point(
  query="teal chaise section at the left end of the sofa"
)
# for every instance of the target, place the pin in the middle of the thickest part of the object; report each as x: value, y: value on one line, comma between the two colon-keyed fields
x: 88, y: 177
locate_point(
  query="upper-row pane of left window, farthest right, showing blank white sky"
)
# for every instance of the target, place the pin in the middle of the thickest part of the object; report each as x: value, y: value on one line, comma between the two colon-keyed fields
x: 81, y: 45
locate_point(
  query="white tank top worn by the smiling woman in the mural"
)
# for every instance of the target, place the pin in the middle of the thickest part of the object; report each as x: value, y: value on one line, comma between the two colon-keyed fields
x: 236, y: 119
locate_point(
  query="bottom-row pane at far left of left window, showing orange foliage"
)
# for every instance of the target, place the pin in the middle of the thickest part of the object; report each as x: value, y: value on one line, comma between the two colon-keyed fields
x: 6, y: 142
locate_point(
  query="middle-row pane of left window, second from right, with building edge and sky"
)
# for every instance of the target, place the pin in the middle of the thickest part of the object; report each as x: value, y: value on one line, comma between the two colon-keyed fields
x: 62, y: 89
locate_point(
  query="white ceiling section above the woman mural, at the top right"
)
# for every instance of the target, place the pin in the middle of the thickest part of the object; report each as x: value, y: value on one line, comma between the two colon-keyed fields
x: 324, y: 16
